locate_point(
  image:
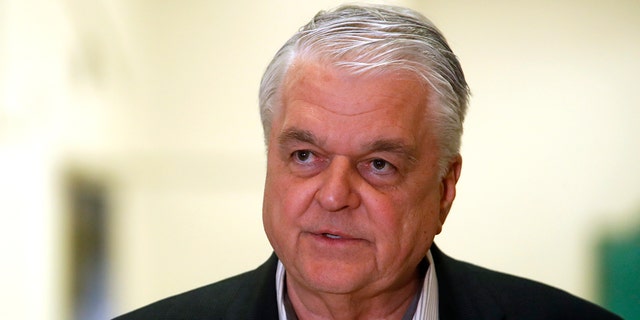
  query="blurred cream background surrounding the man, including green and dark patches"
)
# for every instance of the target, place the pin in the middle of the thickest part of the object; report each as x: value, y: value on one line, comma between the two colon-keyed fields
x: 132, y: 162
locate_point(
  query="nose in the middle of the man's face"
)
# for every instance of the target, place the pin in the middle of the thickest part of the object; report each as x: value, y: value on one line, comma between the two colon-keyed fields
x: 337, y: 190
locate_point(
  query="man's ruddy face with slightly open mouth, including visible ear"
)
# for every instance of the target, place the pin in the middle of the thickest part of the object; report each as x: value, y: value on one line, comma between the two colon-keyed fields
x: 353, y: 197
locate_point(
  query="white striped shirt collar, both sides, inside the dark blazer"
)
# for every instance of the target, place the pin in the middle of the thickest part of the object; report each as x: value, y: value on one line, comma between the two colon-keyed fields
x: 426, y: 308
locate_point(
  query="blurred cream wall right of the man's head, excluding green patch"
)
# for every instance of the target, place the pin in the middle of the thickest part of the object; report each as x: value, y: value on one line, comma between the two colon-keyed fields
x: 552, y: 146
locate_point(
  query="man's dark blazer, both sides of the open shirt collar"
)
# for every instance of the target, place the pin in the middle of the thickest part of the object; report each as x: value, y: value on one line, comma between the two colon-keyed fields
x: 465, y: 292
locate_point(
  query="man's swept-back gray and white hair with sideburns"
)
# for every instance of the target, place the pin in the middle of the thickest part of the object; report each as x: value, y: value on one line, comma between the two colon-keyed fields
x: 375, y: 38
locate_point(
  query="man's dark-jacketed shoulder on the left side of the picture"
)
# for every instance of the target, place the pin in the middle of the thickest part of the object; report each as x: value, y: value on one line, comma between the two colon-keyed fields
x: 239, y: 297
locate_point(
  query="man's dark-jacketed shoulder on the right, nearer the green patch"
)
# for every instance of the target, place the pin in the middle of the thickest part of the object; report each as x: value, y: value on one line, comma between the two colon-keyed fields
x: 469, y: 288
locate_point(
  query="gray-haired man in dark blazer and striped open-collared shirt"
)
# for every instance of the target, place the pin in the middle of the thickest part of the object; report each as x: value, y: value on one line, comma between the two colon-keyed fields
x: 362, y: 112
